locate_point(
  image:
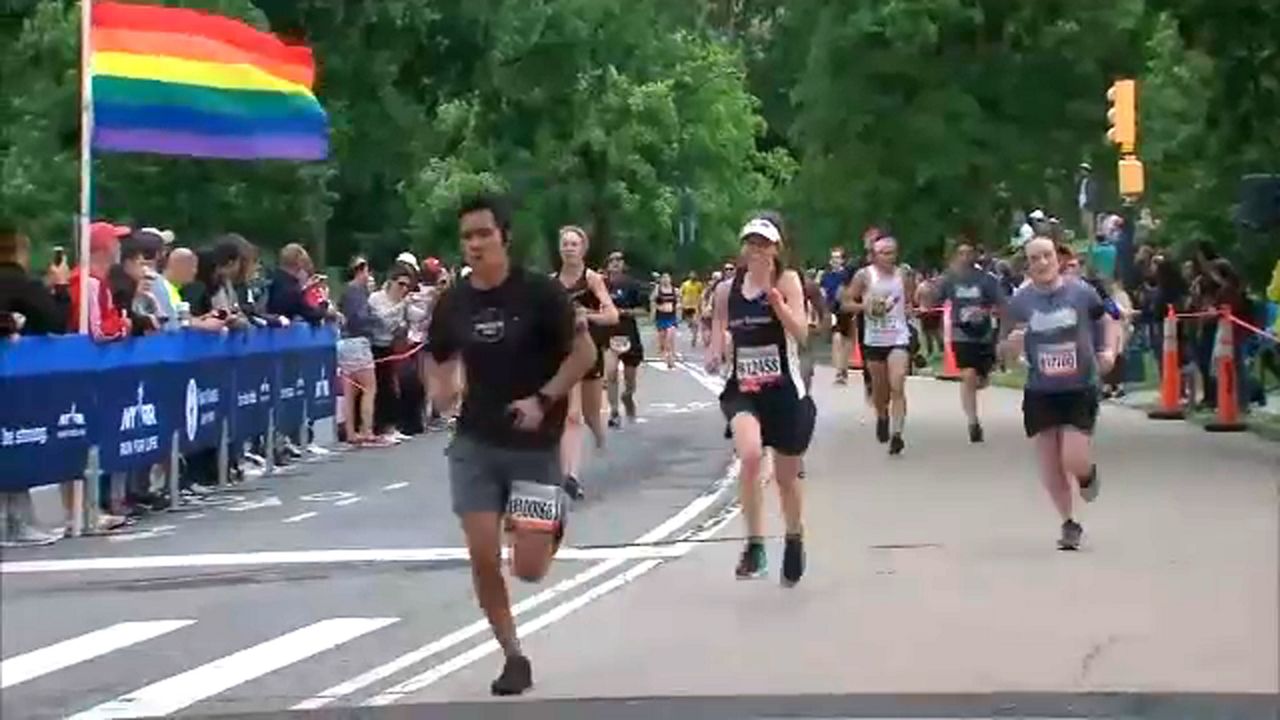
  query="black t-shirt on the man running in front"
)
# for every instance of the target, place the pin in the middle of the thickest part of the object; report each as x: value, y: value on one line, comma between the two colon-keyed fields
x: 513, y: 340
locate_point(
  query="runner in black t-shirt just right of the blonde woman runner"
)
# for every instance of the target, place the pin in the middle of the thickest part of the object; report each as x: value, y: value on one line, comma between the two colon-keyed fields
x: 623, y: 343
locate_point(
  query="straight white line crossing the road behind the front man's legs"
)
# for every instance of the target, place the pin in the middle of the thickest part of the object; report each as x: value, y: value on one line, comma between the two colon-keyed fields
x: 301, y: 558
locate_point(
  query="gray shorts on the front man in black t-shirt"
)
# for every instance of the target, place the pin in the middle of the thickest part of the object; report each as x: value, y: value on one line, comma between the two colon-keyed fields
x: 481, y: 475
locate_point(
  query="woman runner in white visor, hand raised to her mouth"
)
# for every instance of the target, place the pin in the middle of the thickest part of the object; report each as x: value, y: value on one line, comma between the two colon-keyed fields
x: 766, y: 400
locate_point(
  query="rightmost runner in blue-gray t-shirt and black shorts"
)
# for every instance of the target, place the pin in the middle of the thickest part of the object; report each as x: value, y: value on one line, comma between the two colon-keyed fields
x: 1050, y: 323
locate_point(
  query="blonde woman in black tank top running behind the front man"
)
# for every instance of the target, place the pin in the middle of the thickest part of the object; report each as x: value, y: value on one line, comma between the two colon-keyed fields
x: 593, y: 304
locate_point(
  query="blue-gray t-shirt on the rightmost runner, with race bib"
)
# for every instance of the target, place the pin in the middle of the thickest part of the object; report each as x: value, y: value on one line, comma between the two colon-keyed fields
x: 1059, y: 347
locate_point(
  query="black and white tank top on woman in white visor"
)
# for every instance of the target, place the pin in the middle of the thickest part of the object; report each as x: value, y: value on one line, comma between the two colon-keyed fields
x: 765, y: 358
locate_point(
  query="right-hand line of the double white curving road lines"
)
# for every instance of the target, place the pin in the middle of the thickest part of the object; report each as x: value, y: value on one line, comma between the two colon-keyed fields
x: 554, y: 616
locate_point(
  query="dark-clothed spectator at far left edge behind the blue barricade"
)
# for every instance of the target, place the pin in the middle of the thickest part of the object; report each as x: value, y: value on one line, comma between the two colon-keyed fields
x: 28, y: 308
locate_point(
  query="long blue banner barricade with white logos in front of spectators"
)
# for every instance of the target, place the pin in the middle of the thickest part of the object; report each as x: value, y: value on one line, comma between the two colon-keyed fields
x: 62, y: 395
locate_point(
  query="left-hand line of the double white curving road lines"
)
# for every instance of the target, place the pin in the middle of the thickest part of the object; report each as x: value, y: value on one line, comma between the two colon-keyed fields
x: 660, y: 534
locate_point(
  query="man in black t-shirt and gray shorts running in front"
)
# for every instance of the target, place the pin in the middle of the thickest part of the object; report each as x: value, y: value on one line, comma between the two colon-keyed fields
x: 523, y: 350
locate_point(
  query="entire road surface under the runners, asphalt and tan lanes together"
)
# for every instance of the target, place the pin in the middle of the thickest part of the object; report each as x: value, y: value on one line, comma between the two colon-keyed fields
x: 934, y: 589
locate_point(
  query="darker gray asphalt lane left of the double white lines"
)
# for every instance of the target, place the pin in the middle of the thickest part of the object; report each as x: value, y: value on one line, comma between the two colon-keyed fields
x: 363, y: 567
